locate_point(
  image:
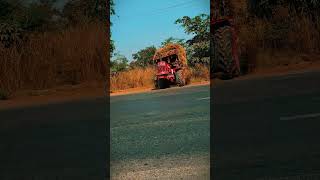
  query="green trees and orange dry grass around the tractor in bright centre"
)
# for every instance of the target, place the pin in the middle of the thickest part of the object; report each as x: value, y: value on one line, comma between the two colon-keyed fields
x: 140, y: 71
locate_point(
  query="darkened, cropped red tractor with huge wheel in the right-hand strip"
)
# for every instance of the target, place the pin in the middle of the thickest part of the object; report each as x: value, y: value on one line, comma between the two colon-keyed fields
x: 224, y: 47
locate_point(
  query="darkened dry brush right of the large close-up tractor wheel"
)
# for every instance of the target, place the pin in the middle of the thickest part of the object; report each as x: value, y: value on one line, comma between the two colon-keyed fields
x: 277, y: 33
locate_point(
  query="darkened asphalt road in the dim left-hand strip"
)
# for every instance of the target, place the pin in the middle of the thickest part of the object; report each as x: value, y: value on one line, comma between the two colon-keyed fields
x: 56, y: 141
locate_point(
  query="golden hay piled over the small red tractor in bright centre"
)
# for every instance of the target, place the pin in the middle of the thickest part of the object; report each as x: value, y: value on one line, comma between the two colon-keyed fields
x: 170, y: 50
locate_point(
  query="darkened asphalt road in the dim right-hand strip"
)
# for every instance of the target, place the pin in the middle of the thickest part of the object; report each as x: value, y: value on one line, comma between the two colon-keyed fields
x: 267, y: 128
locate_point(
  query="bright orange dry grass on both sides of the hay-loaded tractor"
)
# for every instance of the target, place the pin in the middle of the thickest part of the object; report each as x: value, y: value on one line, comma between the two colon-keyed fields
x: 143, y: 77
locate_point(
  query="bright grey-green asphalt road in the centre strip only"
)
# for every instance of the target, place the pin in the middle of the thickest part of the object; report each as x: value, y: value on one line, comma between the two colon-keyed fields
x: 163, y: 134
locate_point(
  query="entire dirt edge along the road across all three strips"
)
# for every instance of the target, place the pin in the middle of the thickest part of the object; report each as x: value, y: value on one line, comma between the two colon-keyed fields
x: 96, y: 90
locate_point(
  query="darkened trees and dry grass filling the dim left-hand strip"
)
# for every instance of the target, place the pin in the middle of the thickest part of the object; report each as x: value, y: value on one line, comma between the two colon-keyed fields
x: 44, y: 46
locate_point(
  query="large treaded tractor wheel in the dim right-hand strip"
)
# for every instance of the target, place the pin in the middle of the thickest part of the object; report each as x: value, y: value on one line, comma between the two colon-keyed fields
x: 223, y: 52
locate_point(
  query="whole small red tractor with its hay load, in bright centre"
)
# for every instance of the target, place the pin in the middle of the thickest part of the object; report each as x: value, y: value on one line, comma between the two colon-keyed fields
x: 171, y: 66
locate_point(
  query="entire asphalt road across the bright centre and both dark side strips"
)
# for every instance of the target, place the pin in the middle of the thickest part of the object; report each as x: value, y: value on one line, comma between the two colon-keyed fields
x: 264, y: 127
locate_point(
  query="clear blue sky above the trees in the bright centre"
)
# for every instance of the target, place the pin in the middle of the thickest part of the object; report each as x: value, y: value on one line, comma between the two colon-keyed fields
x: 142, y: 23
